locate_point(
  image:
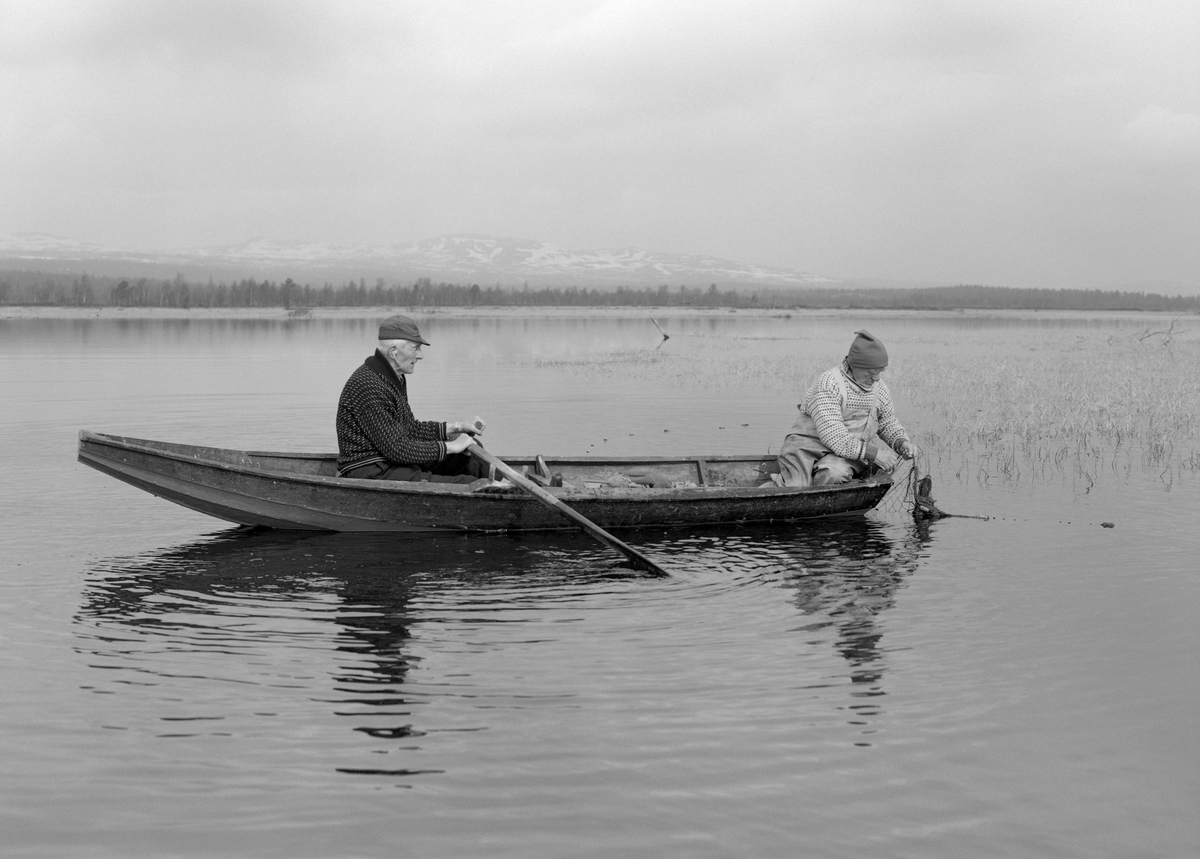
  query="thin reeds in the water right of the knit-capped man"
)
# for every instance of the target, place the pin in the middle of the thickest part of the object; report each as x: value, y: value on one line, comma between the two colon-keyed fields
x: 1100, y: 405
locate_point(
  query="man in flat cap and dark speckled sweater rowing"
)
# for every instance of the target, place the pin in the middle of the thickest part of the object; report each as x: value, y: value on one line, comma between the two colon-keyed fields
x: 377, y: 435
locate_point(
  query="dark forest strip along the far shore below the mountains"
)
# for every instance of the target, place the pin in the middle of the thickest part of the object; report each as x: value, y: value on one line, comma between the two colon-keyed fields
x: 86, y: 291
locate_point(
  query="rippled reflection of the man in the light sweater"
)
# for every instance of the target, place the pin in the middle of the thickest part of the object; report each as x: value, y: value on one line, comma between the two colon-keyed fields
x: 845, y: 574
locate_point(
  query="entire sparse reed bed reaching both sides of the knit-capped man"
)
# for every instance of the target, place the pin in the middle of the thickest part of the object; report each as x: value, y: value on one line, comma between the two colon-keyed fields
x: 1009, y: 406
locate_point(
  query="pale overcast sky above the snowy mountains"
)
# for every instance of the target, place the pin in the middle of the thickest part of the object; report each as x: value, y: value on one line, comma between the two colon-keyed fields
x: 999, y: 142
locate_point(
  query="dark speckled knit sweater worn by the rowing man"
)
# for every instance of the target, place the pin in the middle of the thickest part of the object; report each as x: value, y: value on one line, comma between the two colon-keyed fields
x: 375, y: 423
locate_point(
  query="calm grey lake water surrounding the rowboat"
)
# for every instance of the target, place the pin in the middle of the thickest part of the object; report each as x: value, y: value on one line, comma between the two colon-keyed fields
x: 1019, y: 687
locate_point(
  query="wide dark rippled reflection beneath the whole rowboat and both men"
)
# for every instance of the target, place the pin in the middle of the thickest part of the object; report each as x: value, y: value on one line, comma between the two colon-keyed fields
x: 412, y: 638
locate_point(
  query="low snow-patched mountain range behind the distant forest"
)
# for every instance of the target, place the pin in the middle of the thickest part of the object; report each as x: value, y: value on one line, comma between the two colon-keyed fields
x: 454, y: 259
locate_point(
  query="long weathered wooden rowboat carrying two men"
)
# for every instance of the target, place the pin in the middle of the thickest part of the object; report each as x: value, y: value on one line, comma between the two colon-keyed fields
x: 303, y: 492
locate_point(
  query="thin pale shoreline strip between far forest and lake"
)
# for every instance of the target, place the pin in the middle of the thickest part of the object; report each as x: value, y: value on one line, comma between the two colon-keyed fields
x: 26, y: 313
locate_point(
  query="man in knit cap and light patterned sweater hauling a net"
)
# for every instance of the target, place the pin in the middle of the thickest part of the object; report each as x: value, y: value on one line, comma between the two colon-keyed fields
x: 847, y: 423
